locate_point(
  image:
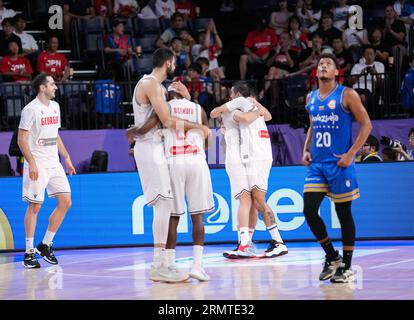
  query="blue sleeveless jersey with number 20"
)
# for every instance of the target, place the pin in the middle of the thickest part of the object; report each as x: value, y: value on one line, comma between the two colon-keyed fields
x: 332, y: 125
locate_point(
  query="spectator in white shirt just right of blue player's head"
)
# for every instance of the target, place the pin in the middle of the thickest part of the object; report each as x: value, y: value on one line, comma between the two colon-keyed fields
x: 367, y: 75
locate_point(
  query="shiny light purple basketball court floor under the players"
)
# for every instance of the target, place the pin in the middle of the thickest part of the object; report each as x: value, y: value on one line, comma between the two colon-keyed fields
x: 383, y: 269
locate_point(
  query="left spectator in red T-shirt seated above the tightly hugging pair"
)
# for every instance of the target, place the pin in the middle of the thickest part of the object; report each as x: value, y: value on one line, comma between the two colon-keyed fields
x: 257, y: 47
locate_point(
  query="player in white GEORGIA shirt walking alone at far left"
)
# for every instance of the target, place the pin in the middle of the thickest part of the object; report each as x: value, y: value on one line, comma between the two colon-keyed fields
x: 40, y: 143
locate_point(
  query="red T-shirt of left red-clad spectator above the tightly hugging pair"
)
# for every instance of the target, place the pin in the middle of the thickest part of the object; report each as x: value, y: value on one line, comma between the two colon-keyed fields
x: 261, y: 42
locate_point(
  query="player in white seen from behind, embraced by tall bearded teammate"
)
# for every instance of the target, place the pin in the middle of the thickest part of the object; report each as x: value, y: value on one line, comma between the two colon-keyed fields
x: 190, y: 178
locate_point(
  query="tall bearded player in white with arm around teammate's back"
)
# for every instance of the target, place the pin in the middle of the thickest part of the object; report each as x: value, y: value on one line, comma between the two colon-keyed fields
x: 149, y: 97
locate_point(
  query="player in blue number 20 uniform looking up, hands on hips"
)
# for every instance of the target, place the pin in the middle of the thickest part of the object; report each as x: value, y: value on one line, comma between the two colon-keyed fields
x: 329, y: 155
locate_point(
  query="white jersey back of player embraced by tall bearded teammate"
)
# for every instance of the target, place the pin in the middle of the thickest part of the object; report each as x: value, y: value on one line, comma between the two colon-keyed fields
x: 177, y: 142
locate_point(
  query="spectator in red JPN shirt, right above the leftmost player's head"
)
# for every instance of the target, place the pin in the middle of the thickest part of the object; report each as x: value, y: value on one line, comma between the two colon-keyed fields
x: 52, y: 62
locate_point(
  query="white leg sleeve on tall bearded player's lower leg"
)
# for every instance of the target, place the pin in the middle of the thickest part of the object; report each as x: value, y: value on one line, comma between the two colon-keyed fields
x: 161, y: 221
